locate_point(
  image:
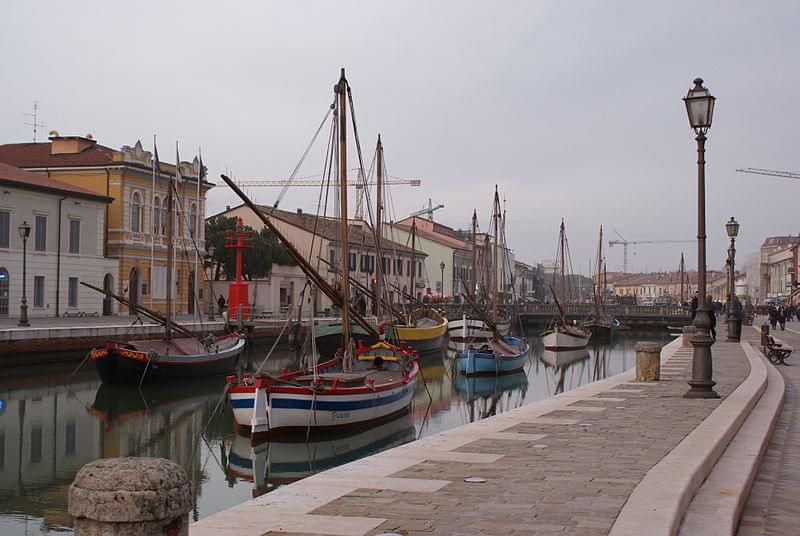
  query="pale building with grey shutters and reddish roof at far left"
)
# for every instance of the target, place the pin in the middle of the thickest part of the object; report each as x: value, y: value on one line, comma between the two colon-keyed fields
x: 65, y: 246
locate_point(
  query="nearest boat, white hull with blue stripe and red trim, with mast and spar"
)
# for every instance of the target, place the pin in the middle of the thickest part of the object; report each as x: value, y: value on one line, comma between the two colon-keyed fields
x: 374, y: 382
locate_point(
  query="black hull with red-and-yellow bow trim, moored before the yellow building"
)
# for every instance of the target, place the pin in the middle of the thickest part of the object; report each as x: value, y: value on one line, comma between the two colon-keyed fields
x: 135, y: 362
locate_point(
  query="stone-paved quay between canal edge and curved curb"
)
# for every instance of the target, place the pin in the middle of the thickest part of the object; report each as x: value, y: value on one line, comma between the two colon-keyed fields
x: 564, y: 465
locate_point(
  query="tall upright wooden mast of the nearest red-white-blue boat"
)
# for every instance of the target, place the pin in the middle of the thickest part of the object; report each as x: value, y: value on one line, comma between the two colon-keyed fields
x: 340, y: 90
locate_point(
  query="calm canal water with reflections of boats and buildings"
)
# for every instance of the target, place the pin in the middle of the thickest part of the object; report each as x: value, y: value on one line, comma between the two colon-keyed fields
x: 49, y: 430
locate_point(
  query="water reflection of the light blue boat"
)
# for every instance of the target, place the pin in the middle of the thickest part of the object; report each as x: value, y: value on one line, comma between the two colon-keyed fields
x: 489, y: 395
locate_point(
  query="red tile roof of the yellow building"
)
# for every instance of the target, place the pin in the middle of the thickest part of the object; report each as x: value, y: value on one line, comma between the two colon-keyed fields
x: 28, y: 155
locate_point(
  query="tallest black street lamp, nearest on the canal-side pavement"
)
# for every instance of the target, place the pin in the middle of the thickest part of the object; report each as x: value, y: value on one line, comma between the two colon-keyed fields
x: 700, y: 109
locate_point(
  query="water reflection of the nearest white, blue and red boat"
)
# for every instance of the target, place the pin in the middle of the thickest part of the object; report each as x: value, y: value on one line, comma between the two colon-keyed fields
x: 280, y: 461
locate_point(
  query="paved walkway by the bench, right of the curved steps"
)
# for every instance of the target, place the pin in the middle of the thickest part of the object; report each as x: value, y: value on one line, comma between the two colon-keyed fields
x: 773, y: 506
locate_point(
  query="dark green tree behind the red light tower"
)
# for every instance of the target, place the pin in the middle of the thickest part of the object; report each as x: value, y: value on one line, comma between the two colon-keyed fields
x: 257, y: 262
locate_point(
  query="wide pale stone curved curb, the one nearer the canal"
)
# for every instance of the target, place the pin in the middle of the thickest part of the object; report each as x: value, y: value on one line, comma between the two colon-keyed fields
x: 657, y: 505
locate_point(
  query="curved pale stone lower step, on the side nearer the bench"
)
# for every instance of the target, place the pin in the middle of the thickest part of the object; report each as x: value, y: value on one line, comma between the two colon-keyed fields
x: 717, y: 506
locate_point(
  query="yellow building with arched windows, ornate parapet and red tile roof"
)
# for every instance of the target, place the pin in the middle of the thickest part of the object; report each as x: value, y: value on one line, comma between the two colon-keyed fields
x: 136, y: 221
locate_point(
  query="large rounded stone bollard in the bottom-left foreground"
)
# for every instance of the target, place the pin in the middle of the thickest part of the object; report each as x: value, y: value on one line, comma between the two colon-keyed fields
x: 131, y: 497
